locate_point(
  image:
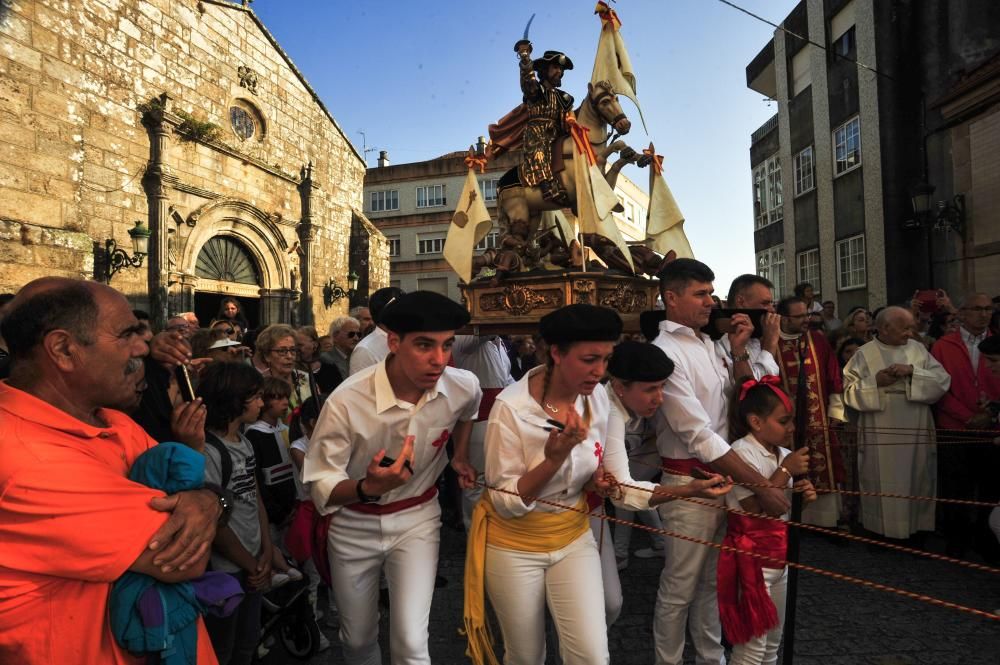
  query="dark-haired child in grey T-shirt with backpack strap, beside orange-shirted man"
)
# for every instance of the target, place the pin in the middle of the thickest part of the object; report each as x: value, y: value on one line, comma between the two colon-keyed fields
x: 232, y: 397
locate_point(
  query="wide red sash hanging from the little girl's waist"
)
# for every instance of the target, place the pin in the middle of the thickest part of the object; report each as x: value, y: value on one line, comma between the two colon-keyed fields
x: 745, y: 607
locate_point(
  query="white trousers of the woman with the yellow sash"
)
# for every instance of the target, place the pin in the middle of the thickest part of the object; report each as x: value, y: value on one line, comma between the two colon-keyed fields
x: 569, y: 580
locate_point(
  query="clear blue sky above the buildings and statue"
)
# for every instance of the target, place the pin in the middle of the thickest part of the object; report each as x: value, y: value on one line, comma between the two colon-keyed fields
x: 422, y: 79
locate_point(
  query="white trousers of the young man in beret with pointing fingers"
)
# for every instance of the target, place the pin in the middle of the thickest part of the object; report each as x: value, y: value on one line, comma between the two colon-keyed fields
x: 405, y: 545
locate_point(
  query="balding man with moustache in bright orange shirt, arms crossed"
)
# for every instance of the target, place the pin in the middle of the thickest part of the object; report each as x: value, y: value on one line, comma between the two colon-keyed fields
x: 70, y: 520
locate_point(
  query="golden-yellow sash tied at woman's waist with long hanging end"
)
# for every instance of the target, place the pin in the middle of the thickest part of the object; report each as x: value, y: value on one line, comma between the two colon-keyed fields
x: 534, y: 532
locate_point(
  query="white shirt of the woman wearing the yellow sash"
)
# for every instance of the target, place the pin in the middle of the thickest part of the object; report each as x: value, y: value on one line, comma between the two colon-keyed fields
x: 515, y: 444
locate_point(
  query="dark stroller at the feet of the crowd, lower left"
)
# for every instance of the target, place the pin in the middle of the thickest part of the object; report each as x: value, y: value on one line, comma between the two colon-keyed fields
x: 287, y: 614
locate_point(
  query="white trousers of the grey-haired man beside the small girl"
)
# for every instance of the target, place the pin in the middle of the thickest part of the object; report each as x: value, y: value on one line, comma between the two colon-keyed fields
x: 687, y: 596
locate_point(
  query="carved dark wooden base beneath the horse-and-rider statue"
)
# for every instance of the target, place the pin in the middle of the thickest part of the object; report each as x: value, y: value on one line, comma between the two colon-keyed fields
x: 515, y: 305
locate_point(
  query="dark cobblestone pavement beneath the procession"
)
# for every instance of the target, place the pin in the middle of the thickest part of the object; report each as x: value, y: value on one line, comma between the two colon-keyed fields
x: 838, y: 623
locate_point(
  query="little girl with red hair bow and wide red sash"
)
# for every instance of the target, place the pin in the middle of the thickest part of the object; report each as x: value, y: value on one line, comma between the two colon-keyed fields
x: 751, y: 590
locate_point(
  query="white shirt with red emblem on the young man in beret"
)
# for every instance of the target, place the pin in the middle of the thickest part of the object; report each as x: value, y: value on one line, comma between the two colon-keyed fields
x: 364, y: 416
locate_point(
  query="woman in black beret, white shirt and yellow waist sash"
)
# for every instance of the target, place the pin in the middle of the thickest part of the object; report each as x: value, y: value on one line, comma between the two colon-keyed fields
x: 546, y: 439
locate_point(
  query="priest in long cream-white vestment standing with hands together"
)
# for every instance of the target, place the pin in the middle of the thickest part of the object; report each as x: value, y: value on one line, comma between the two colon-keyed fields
x: 892, y: 381
